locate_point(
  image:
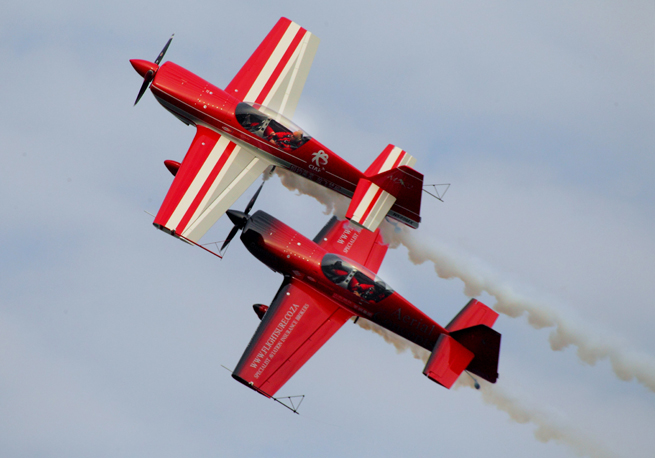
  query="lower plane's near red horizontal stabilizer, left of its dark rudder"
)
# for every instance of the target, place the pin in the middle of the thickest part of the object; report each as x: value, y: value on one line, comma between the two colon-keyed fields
x: 448, y: 360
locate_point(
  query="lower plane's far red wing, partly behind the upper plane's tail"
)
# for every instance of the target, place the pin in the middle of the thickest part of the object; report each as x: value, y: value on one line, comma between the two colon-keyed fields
x: 362, y: 246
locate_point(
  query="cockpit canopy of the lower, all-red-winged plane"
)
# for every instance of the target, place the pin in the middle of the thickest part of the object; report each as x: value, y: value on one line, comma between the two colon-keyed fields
x: 355, y: 278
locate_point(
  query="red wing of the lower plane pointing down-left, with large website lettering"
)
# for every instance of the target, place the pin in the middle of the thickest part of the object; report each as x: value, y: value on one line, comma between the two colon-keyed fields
x: 299, y: 321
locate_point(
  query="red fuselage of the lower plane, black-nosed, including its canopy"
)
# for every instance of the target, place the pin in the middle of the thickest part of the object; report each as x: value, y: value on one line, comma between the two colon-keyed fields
x: 349, y: 284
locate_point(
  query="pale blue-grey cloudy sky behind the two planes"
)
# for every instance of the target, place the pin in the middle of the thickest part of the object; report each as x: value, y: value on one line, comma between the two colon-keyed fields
x: 540, y: 115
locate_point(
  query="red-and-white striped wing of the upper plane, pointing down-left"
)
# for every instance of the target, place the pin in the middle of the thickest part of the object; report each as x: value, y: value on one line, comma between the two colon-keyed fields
x: 212, y: 176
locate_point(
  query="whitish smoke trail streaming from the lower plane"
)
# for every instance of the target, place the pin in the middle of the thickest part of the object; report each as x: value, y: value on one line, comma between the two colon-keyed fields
x: 548, y: 428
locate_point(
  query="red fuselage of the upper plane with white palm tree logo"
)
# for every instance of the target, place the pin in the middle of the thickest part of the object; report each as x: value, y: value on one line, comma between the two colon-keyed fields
x: 197, y: 102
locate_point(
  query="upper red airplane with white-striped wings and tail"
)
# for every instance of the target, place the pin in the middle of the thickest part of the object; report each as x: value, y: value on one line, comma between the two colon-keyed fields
x: 245, y: 128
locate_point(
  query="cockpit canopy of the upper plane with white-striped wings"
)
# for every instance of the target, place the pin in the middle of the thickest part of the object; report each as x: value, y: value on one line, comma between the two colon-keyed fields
x: 271, y: 126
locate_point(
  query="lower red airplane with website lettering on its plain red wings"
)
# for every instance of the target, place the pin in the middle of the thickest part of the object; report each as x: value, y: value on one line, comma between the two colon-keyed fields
x: 333, y: 278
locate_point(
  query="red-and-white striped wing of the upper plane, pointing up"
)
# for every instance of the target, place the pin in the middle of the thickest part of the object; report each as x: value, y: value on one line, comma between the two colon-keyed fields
x: 275, y: 74
